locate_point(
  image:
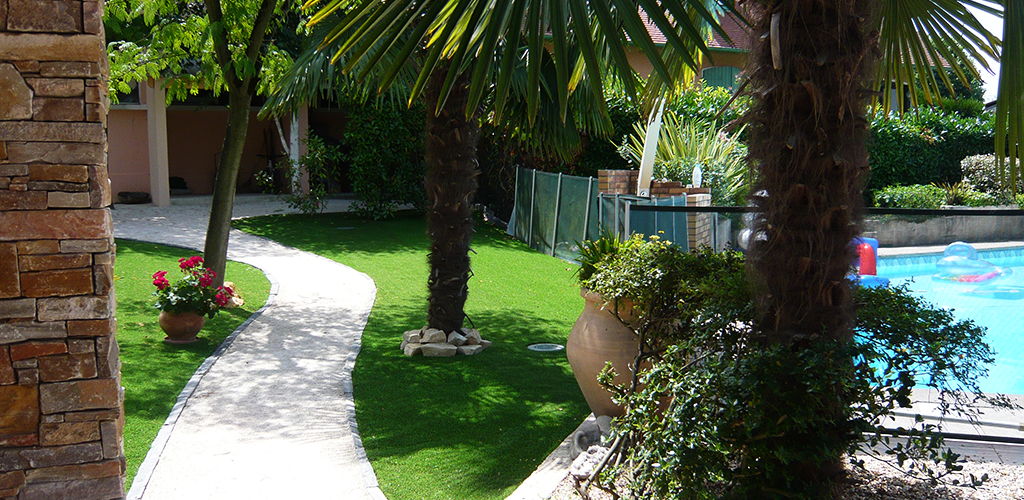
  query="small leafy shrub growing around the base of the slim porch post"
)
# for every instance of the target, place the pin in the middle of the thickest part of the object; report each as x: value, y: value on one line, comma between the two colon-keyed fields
x: 321, y: 164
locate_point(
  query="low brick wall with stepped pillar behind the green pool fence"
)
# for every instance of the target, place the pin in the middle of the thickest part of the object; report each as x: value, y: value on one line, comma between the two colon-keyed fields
x: 699, y: 225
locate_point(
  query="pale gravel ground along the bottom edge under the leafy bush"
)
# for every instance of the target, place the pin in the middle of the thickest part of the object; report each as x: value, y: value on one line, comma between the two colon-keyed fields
x: 881, y: 482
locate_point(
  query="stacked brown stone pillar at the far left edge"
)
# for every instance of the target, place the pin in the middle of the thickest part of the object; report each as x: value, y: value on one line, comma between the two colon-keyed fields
x: 61, y: 399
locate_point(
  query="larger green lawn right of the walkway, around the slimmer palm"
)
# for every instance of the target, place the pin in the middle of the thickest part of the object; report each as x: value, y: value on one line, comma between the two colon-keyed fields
x: 464, y: 428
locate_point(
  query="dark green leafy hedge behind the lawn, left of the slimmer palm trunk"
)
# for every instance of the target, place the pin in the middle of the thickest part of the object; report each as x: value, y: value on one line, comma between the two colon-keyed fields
x: 387, y: 157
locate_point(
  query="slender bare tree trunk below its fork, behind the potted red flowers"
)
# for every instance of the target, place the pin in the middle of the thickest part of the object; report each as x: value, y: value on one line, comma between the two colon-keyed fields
x: 216, y: 252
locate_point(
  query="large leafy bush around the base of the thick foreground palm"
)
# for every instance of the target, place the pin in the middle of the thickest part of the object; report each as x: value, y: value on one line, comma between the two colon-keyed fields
x: 698, y: 423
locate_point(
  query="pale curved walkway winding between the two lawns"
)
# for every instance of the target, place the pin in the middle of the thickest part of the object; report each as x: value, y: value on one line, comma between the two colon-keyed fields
x: 273, y: 418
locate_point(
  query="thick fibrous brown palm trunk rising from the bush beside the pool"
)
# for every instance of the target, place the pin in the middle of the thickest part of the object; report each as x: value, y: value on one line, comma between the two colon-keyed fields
x: 807, y: 143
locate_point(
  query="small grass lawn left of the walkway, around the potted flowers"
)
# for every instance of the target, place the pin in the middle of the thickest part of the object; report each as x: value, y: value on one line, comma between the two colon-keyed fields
x: 152, y: 372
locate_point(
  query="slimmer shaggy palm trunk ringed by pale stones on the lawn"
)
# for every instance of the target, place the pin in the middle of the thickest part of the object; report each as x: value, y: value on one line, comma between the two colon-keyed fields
x: 451, y: 183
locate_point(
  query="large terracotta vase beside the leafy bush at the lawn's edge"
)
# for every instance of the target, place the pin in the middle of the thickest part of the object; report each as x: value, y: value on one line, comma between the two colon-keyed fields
x: 599, y: 338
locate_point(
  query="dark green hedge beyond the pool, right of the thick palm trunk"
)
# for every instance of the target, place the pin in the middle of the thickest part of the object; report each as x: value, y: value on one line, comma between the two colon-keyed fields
x: 925, y: 147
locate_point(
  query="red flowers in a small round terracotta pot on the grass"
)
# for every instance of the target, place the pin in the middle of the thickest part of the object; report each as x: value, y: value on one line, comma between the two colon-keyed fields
x: 186, y: 304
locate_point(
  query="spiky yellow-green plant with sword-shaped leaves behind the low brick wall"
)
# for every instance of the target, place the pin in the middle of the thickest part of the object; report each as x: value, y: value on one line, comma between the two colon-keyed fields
x: 685, y: 145
